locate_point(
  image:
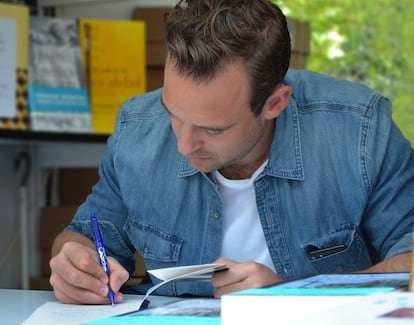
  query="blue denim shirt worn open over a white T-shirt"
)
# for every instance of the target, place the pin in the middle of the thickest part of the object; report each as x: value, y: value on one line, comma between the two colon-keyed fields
x: 339, y: 173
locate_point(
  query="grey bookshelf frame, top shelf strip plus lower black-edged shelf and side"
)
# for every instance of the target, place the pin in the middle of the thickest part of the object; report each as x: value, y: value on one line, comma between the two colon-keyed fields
x: 45, y: 151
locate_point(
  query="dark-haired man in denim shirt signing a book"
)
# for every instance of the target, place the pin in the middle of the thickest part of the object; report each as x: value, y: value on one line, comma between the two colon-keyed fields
x: 277, y: 175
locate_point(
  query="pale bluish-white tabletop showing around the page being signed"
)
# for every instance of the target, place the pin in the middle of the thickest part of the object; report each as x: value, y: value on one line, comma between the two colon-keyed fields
x: 17, y: 305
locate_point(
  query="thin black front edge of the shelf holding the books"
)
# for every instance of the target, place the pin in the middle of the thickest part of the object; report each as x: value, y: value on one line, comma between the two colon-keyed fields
x: 35, y: 136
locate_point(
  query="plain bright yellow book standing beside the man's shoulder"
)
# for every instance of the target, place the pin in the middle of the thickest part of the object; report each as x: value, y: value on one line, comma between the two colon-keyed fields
x: 113, y: 53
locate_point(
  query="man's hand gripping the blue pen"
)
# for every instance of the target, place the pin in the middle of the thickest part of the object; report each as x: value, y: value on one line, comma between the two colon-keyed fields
x: 76, y: 275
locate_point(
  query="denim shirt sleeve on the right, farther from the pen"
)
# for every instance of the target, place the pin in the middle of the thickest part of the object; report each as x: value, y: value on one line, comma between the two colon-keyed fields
x: 387, y: 164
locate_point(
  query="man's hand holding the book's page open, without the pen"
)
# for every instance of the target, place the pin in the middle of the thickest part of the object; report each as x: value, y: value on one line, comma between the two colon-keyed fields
x: 240, y: 276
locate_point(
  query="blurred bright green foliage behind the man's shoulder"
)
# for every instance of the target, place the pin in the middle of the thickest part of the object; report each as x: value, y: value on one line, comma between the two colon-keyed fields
x: 368, y: 41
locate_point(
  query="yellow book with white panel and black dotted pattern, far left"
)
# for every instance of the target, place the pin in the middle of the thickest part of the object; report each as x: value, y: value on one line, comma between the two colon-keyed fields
x: 14, y: 48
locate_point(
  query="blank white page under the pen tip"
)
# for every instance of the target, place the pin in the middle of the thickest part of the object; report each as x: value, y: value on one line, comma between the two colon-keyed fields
x: 56, y: 313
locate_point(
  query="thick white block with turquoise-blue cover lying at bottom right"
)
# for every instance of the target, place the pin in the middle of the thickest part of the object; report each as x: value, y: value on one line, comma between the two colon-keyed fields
x: 297, y: 300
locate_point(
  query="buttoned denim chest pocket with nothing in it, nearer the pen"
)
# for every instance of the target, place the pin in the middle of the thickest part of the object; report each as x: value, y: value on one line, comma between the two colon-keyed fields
x: 158, y: 248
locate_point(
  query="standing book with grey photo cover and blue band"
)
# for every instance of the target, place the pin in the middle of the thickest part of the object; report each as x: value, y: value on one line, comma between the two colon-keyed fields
x: 58, y: 96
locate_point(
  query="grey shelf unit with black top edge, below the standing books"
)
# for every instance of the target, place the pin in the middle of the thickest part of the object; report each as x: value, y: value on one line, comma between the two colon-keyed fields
x: 24, y: 158
